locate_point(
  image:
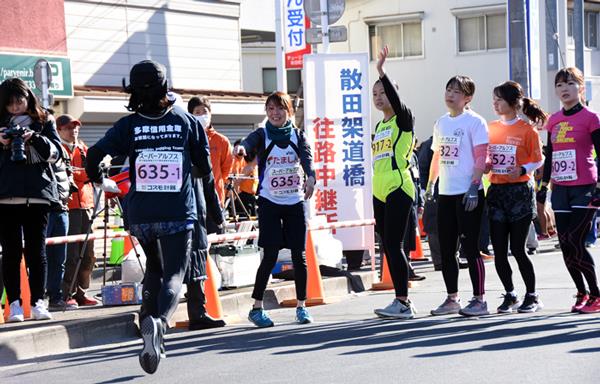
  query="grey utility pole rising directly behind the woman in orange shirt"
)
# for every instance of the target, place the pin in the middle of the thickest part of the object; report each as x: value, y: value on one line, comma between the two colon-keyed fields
x: 517, y: 43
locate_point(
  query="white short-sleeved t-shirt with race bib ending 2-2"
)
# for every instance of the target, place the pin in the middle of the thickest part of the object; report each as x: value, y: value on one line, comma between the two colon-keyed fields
x: 454, y: 138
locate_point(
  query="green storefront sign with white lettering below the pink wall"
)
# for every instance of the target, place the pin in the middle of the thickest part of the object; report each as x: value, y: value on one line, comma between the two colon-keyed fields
x: 22, y: 66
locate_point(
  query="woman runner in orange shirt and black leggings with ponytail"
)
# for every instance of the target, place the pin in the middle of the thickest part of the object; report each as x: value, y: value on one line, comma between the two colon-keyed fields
x: 514, y: 151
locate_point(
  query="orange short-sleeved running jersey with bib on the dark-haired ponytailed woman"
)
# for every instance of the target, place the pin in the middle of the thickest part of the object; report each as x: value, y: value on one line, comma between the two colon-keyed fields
x: 512, y: 146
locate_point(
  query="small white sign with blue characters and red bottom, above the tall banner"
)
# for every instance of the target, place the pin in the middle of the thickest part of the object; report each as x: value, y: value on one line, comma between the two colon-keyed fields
x: 295, y: 25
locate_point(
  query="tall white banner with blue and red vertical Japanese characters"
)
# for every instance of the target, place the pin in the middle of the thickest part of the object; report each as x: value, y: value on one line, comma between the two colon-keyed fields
x: 337, y: 115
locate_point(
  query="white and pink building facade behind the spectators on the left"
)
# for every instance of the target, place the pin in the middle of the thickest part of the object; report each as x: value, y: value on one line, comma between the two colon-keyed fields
x: 198, y: 41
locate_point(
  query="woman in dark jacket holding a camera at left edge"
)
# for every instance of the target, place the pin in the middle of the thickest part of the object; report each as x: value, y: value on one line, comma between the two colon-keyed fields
x: 29, y: 143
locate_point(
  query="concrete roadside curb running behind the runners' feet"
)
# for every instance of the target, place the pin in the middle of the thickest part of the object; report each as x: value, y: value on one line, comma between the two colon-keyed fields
x: 18, y: 344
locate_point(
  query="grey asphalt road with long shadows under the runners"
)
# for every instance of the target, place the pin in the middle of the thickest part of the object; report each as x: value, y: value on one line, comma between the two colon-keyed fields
x: 348, y: 344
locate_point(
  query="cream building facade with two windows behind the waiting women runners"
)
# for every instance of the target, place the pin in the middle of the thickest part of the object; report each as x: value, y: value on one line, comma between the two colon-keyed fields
x: 432, y: 40
